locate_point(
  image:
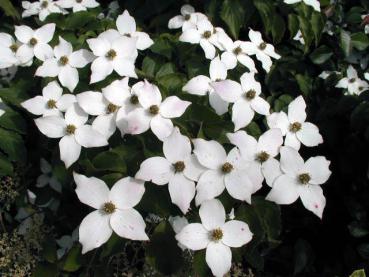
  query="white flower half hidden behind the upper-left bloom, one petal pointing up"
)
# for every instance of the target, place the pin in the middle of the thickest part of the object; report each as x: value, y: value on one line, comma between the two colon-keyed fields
x: 126, y: 26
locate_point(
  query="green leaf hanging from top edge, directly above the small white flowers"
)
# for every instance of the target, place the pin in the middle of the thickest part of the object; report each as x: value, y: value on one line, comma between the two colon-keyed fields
x: 233, y: 14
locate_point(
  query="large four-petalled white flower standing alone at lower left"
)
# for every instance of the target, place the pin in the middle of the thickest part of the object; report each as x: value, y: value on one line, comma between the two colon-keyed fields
x: 114, y: 210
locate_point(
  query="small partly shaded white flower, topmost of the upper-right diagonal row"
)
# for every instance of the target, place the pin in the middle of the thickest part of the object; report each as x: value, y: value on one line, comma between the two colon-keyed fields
x: 187, y: 19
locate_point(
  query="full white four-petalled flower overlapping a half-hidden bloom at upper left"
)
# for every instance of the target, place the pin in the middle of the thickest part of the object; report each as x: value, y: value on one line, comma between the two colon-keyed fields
x: 113, y: 53
